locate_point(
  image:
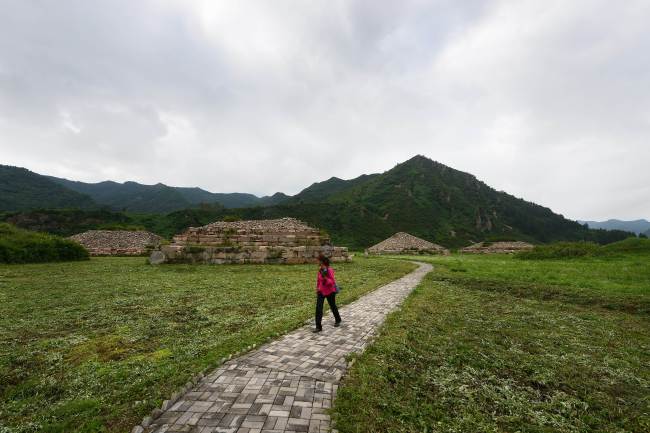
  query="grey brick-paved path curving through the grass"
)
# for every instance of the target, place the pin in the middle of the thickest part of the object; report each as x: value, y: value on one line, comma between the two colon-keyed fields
x: 286, y: 385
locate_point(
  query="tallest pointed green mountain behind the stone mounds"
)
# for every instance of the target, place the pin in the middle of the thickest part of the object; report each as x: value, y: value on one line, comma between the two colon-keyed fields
x: 435, y: 202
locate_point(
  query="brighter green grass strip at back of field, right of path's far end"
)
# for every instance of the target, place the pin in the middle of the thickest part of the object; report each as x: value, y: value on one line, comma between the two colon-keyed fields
x: 620, y: 282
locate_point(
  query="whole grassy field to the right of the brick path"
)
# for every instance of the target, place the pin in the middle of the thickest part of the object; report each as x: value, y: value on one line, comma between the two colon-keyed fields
x: 498, y: 344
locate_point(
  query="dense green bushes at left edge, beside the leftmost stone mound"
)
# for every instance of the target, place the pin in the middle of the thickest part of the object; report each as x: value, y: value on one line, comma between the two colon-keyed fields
x: 22, y: 246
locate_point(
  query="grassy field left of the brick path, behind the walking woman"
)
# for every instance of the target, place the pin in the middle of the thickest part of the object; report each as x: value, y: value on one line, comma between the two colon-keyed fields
x: 94, y: 346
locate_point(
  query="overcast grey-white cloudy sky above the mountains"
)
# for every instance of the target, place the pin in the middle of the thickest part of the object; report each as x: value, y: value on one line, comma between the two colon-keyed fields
x: 548, y: 100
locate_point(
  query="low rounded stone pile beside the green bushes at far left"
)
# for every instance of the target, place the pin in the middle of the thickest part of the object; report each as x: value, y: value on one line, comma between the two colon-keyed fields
x: 117, y: 242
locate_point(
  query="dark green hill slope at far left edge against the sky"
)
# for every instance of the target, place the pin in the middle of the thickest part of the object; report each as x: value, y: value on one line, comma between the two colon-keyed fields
x: 21, y: 189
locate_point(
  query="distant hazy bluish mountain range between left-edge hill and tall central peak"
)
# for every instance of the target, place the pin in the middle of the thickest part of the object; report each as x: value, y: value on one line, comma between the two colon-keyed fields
x: 160, y: 198
